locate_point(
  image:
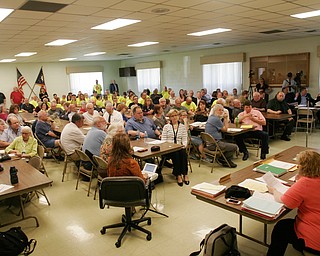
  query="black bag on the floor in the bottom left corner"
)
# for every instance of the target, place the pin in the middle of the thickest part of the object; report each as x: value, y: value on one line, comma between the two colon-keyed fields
x: 14, y: 242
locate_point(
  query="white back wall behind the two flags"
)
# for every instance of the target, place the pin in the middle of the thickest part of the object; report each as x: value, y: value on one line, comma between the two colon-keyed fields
x: 56, y: 79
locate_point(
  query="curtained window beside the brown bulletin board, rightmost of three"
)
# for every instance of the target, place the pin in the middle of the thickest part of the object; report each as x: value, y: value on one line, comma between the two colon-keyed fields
x: 225, y: 76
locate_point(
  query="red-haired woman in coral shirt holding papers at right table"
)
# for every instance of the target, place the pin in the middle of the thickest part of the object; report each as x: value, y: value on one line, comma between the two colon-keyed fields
x: 303, y: 232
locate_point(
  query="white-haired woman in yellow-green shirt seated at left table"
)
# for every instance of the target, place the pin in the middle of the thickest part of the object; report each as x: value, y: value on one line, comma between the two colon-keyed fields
x: 25, y: 145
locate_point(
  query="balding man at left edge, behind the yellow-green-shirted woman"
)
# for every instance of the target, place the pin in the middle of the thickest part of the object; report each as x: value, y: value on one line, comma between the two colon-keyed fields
x: 12, y: 132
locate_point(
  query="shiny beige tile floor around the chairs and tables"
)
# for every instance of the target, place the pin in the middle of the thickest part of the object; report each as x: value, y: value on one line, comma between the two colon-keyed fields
x: 71, y: 225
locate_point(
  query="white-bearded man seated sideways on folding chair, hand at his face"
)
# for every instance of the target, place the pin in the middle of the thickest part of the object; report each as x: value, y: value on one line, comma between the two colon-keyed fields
x: 215, y: 127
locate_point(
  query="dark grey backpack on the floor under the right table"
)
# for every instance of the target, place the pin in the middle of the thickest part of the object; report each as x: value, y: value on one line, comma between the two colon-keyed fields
x: 219, y: 242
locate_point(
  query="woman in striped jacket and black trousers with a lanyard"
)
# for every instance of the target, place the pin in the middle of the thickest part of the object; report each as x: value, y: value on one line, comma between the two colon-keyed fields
x: 175, y: 132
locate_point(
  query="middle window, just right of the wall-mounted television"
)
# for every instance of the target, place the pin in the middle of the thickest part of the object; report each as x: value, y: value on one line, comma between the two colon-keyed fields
x: 148, y: 78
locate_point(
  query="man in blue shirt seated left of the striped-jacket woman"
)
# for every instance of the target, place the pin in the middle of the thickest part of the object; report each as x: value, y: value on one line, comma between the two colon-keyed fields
x: 138, y: 125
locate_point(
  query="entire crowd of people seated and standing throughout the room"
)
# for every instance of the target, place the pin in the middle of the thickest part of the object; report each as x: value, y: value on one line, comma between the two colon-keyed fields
x: 115, y: 119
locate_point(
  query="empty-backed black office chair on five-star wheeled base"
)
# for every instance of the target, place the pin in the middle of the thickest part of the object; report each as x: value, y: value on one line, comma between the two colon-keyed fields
x: 125, y: 192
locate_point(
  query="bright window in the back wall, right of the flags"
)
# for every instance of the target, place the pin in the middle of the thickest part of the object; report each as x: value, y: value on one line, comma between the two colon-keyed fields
x: 84, y: 82
